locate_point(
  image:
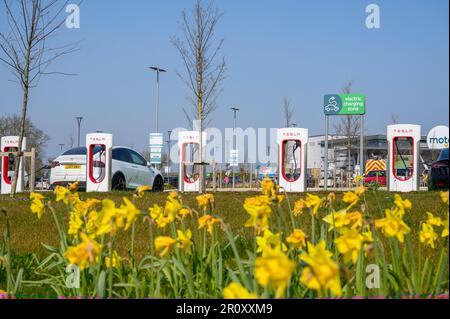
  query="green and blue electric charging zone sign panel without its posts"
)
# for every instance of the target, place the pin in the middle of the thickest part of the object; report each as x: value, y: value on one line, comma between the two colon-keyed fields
x: 344, y: 104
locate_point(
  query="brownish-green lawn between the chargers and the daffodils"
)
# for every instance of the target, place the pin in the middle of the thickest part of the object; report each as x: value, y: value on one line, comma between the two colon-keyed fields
x: 27, y: 232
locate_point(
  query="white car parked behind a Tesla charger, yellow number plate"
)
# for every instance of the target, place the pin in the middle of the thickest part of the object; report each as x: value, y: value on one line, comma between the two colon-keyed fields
x: 129, y: 169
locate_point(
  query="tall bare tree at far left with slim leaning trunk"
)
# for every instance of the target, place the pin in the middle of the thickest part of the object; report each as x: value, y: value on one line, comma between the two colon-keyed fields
x: 25, y: 50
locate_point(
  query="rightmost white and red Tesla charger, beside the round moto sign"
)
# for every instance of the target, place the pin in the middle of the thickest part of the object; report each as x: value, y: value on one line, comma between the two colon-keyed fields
x: 403, y: 157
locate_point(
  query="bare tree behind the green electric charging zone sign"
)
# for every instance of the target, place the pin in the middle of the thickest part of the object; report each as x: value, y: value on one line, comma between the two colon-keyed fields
x: 348, y: 126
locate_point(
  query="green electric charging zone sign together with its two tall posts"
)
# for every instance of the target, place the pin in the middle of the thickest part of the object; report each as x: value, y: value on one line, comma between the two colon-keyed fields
x: 344, y: 104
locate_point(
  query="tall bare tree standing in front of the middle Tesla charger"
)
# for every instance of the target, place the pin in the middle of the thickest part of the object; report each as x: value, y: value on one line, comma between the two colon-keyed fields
x: 204, y: 69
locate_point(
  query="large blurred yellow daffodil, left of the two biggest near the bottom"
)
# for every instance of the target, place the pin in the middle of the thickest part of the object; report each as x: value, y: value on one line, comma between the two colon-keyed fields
x: 274, y: 270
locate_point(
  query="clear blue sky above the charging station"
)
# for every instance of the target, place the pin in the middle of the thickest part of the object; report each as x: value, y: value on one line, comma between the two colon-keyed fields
x: 301, y: 49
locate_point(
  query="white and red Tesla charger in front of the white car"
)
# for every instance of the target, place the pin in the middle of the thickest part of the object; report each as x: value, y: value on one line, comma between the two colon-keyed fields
x: 98, y: 162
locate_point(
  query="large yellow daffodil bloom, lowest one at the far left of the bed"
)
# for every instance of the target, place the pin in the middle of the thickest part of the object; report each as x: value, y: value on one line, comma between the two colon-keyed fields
x: 84, y: 254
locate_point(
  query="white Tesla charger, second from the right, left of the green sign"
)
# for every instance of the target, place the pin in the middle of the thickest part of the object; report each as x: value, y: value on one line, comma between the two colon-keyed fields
x: 292, y: 147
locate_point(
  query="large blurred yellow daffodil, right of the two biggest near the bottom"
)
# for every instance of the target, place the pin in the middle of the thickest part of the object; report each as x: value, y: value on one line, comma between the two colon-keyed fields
x: 321, y: 272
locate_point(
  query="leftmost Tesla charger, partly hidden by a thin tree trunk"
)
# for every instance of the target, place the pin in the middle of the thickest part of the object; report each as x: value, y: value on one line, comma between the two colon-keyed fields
x: 11, y: 144
